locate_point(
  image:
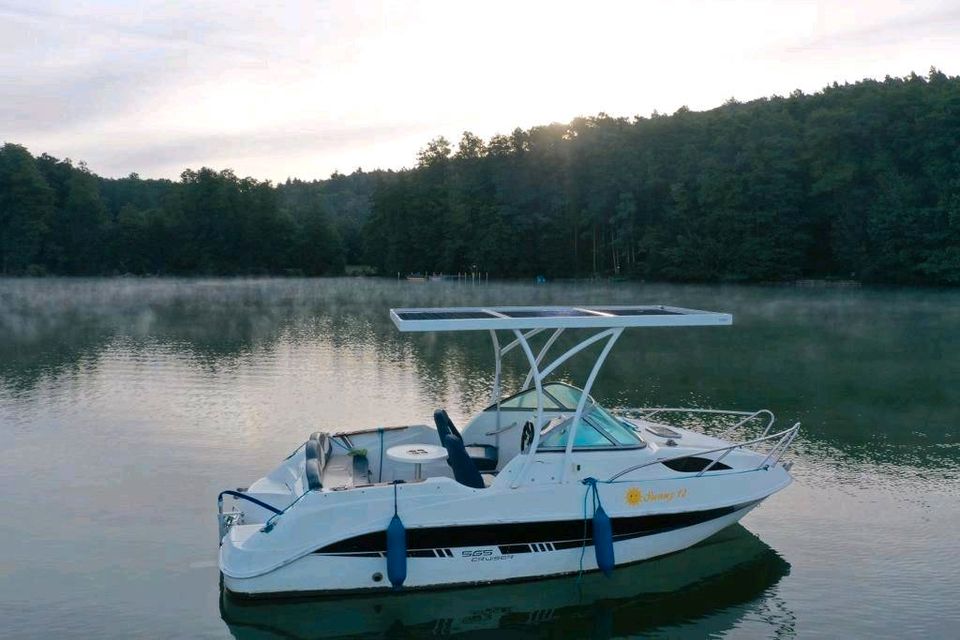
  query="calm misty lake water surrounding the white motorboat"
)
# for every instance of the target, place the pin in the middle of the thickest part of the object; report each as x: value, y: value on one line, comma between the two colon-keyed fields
x: 127, y: 405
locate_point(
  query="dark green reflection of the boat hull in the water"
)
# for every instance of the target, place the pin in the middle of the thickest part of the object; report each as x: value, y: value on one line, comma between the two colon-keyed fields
x: 715, y: 584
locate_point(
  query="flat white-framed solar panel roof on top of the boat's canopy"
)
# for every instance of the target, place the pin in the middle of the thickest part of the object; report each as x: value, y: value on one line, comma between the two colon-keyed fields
x: 572, y: 317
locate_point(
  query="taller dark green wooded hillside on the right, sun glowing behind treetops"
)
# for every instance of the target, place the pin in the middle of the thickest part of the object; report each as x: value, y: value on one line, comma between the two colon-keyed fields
x: 857, y: 181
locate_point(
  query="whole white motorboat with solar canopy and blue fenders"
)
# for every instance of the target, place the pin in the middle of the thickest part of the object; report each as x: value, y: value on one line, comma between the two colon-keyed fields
x: 542, y: 482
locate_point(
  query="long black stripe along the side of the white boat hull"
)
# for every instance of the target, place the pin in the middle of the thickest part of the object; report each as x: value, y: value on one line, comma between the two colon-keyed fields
x: 523, y: 537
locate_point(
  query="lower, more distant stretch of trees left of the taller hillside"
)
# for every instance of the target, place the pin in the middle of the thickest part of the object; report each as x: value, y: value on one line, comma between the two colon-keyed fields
x: 59, y: 218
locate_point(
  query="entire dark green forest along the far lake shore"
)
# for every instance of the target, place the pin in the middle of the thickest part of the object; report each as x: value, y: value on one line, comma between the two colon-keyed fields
x: 858, y: 181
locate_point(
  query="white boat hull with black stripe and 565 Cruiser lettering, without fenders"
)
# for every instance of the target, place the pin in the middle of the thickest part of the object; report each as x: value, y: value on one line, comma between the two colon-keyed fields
x: 527, y: 522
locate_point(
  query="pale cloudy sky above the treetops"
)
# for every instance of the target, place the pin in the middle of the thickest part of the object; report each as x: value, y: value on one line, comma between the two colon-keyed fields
x: 303, y: 89
